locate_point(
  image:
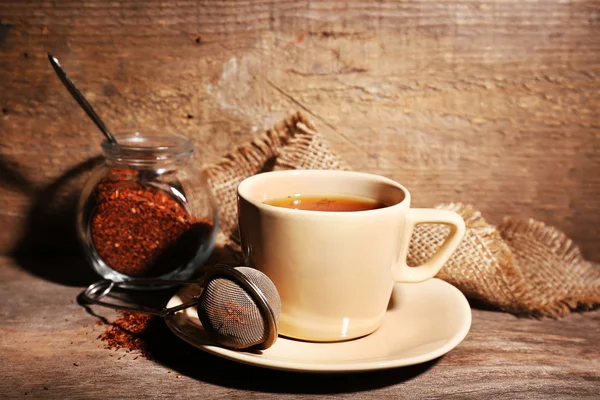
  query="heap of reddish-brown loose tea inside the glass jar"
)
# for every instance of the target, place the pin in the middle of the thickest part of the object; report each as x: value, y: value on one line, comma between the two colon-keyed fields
x: 141, y: 230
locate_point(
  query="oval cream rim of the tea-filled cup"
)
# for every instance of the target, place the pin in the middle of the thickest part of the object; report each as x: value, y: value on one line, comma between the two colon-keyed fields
x: 244, y: 186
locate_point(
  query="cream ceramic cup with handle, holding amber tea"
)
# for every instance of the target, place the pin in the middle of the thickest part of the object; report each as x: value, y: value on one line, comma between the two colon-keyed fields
x: 335, y: 271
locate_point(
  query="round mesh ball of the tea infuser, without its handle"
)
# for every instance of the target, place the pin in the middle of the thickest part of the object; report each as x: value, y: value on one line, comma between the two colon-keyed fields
x: 233, y: 314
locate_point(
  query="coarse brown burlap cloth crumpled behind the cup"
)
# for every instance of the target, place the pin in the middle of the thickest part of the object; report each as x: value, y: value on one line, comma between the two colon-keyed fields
x: 522, y: 266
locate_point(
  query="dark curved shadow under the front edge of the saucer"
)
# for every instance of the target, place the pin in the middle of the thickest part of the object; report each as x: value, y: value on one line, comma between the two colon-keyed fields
x: 167, y: 349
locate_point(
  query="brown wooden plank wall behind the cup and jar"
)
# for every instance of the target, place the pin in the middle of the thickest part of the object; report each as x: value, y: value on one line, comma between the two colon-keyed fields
x: 495, y: 103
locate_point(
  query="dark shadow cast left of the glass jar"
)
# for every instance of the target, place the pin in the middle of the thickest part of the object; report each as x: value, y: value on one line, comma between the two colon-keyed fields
x: 49, y: 247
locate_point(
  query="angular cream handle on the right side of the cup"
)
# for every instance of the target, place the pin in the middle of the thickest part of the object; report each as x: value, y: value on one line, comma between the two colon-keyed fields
x: 404, y: 273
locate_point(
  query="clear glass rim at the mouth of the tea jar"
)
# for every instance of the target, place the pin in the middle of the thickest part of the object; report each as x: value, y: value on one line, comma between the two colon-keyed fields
x: 148, y: 146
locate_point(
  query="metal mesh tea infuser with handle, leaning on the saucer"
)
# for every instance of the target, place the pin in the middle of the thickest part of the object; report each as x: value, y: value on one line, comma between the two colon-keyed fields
x: 239, y: 307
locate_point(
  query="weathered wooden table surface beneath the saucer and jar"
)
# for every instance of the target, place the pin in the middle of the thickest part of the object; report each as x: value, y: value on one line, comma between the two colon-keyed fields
x: 49, y: 349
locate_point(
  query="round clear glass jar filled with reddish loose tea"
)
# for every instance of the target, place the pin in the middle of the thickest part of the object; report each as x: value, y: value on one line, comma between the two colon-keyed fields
x: 147, y: 212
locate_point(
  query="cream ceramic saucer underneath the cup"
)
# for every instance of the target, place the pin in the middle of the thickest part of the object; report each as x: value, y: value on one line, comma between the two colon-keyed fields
x: 424, y: 321
